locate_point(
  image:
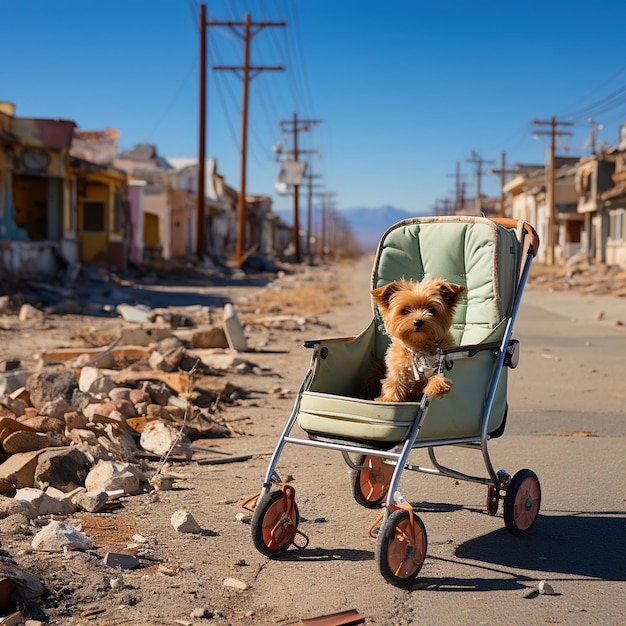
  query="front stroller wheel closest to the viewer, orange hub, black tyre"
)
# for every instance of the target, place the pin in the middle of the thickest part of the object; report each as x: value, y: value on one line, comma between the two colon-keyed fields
x: 401, y: 547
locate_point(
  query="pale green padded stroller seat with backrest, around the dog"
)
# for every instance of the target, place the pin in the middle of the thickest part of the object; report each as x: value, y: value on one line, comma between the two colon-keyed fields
x: 475, y: 252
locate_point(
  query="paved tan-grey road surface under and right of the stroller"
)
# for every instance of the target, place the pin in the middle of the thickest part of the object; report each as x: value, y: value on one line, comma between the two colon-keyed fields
x: 566, y: 422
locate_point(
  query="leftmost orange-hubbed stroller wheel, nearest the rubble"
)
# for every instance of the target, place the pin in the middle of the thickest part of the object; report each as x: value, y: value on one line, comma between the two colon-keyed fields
x: 274, y: 524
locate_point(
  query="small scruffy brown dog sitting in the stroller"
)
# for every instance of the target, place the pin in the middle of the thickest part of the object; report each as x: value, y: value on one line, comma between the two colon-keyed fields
x: 417, y: 317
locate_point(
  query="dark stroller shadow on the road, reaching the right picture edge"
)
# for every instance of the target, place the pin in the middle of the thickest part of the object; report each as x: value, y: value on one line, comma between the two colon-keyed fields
x: 583, y: 543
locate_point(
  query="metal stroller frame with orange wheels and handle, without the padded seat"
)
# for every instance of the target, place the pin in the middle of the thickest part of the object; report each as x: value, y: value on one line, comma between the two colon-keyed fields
x: 376, y: 473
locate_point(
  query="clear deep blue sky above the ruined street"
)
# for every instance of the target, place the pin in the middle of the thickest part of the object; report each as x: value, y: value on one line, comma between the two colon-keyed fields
x: 404, y: 88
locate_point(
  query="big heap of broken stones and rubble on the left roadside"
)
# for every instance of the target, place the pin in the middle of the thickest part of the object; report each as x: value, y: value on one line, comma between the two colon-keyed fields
x: 76, y: 432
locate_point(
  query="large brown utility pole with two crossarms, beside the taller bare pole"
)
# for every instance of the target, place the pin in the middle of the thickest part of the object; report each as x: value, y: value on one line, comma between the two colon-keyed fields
x: 248, y: 72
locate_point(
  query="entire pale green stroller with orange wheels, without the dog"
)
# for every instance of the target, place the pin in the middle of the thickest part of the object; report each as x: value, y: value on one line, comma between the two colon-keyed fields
x: 491, y: 259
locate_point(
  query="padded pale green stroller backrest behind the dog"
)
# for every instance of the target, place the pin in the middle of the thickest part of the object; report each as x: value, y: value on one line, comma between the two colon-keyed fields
x: 475, y: 252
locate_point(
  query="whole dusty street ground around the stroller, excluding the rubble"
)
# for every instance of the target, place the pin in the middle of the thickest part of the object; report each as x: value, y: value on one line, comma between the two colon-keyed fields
x: 475, y: 572
